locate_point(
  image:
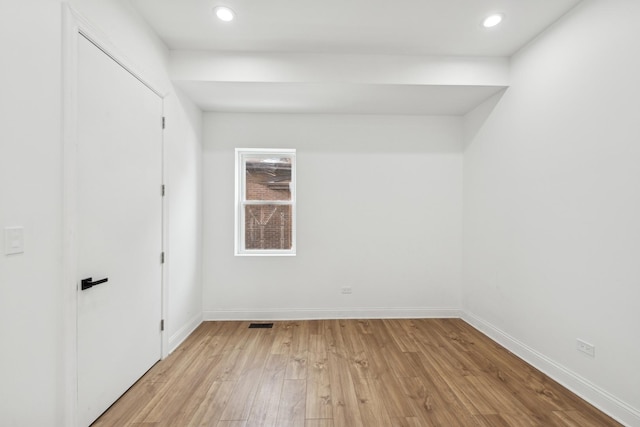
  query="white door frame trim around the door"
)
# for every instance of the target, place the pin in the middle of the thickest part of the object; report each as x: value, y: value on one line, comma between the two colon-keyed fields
x: 74, y: 25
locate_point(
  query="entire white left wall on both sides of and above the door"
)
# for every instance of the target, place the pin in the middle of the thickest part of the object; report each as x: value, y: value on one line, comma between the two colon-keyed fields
x: 33, y: 362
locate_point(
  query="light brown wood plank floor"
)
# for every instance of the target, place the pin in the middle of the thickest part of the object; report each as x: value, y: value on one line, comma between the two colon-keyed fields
x: 347, y: 373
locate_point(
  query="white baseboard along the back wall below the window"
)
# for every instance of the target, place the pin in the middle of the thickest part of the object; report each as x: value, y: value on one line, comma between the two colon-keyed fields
x: 344, y: 313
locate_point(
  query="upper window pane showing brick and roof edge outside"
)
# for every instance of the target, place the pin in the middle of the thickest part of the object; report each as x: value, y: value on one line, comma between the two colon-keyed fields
x: 268, y: 178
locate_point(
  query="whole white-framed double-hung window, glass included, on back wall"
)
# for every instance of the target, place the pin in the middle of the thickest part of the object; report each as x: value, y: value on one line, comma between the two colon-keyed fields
x: 265, y: 202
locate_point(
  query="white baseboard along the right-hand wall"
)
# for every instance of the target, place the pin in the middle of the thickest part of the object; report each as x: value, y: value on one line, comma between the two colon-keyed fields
x: 582, y: 387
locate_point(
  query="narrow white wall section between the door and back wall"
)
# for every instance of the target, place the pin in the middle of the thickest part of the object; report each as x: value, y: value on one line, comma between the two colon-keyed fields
x: 183, y: 161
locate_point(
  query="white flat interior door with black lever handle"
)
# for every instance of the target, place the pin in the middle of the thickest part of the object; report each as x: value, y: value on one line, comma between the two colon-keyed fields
x: 119, y: 230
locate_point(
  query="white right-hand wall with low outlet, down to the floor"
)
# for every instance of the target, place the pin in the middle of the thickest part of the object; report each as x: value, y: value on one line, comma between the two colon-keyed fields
x: 552, y: 205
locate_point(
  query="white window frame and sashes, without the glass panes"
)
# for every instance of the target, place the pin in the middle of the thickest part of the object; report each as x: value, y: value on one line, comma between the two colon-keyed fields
x: 240, y: 200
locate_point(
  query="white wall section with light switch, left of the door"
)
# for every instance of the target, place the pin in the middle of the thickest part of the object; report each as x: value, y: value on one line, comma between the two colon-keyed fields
x: 30, y: 195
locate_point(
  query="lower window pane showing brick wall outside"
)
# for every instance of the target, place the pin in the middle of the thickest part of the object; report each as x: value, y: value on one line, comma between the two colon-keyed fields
x: 267, y: 226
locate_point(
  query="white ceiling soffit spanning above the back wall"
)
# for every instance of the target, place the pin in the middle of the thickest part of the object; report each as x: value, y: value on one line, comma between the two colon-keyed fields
x: 330, y: 83
